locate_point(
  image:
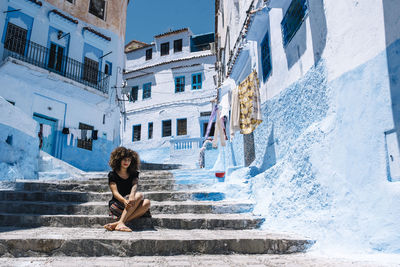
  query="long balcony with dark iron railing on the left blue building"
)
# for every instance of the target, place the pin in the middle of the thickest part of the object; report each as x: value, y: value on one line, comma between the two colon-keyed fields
x: 53, y: 59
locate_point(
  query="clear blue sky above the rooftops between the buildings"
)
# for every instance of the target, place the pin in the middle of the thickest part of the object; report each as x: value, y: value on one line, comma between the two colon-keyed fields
x: 146, y: 18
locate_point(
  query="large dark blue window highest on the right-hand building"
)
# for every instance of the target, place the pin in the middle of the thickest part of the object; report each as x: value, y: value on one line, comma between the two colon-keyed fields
x: 293, y: 18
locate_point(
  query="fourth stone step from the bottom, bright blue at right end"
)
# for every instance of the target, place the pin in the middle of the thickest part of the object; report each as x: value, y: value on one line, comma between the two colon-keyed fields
x: 63, y: 196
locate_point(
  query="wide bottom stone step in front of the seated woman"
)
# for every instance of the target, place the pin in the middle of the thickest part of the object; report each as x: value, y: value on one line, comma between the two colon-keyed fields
x: 96, y: 242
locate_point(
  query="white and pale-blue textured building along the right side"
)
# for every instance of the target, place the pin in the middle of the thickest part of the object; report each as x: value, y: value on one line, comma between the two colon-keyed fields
x: 325, y: 159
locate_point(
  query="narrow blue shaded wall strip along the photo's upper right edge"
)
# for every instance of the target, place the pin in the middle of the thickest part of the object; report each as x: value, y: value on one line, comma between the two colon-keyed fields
x: 392, y: 34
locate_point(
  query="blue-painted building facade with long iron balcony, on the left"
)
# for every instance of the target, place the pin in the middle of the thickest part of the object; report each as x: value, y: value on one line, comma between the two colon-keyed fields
x: 61, y: 63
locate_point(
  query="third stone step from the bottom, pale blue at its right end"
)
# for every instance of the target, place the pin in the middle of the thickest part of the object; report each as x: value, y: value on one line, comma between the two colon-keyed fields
x: 98, y: 208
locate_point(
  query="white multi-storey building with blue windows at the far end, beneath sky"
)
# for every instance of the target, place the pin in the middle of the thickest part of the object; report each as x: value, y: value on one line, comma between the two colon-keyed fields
x: 170, y: 89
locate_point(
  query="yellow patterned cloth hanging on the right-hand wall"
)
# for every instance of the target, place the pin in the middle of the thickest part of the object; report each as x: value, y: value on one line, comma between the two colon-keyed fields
x: 249, y: 98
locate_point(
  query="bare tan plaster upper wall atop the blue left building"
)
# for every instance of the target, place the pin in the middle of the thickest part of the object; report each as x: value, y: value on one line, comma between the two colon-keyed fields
x: 115, y: 14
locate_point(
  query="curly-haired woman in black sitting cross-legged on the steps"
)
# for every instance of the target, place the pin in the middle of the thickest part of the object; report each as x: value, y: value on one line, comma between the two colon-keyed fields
x: 126, y: 204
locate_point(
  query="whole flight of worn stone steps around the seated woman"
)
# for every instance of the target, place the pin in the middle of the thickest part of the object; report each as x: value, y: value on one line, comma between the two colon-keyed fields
x: 65, y: 218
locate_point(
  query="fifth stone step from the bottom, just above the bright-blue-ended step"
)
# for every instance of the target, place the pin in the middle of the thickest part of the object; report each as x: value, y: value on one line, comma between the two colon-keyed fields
x: 103, y: 187
